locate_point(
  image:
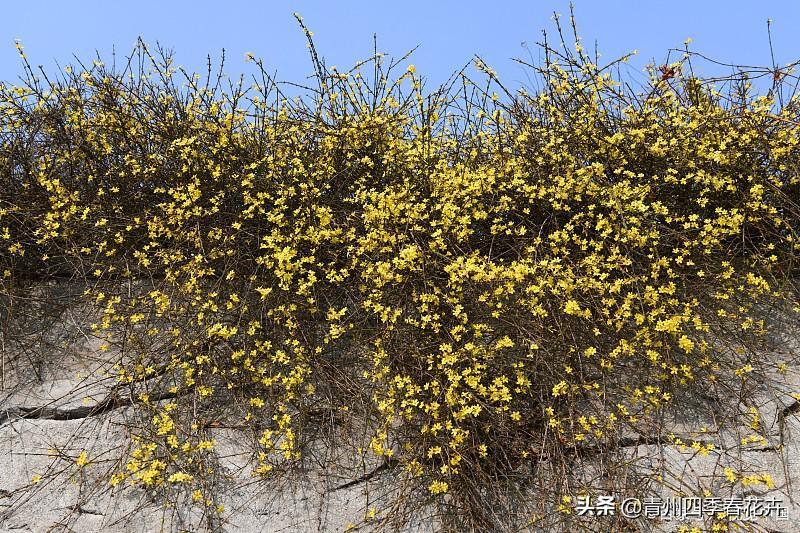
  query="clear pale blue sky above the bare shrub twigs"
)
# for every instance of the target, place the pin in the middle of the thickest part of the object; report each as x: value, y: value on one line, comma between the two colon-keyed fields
x: 448, y: 32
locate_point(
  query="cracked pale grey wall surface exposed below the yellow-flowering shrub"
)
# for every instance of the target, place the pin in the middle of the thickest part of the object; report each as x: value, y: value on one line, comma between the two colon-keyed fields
x: 49, y: 414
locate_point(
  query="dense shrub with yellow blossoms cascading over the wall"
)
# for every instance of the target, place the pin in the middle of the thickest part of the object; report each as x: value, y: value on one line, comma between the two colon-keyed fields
x: 474, y: 289
